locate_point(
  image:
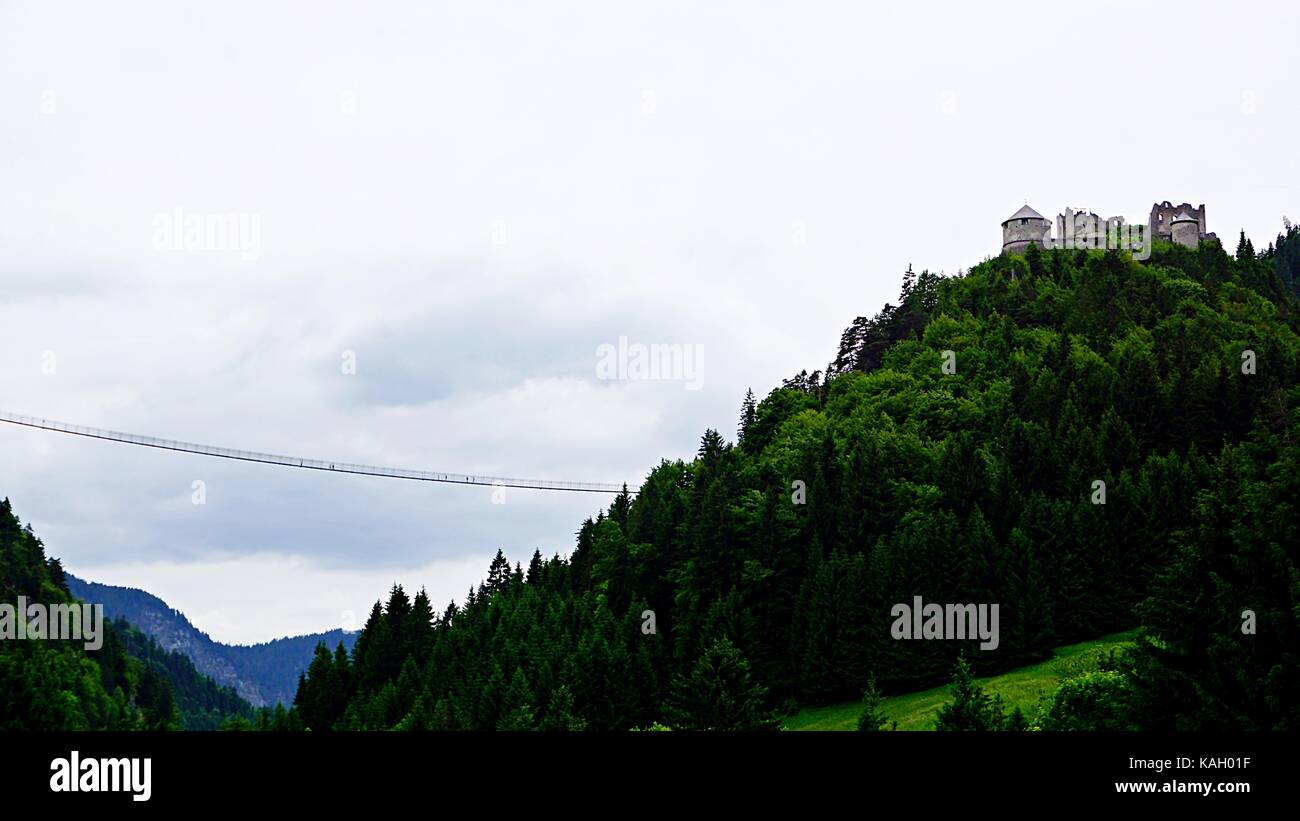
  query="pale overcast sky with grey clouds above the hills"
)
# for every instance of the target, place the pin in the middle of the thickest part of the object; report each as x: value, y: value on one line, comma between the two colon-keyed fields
x: 471, y: 198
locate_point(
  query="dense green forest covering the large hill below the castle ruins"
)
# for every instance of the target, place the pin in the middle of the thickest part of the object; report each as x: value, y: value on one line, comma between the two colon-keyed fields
x: 1093, y: 442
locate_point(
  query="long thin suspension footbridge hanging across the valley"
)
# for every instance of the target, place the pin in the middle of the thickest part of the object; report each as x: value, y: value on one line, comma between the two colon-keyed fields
x: 307, y: 464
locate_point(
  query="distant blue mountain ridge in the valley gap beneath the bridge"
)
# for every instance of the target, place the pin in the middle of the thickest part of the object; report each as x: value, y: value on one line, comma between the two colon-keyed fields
x: 262, y: 675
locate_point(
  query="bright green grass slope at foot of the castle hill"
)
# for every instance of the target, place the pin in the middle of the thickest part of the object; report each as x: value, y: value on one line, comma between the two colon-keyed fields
x: 1021, y: 688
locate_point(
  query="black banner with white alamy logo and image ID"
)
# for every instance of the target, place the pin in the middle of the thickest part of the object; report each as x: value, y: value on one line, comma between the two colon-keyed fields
x: 145, y: 772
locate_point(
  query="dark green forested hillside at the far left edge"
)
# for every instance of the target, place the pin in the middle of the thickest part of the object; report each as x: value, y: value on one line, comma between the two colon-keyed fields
x: 129, y: 684
